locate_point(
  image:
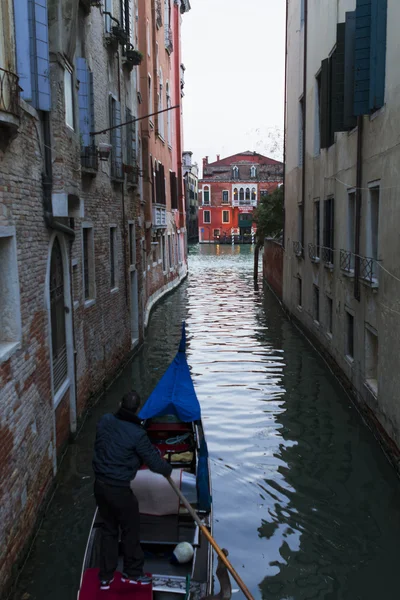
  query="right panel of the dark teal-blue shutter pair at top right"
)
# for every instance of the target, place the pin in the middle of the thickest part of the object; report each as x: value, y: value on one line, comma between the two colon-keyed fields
x: 378, y: 53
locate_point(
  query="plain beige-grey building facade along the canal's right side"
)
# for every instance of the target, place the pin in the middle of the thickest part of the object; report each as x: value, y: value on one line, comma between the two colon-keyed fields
x: 341, y: 267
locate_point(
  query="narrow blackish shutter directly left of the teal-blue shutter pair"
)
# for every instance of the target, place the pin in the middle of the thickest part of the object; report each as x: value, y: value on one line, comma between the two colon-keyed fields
x: 349, y: 120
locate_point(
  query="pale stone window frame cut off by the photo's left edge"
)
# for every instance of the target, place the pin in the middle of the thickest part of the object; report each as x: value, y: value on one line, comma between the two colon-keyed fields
x: 10, y: 342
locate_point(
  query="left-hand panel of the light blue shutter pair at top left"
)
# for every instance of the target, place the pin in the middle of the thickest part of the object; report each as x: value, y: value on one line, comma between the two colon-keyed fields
x: 23, y: 48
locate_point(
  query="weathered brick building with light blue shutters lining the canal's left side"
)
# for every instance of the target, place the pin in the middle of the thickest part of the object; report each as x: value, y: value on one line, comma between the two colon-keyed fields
x: 78, y: 269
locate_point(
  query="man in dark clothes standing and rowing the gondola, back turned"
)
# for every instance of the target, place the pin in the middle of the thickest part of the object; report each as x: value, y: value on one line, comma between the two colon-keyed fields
x: 121, y: 447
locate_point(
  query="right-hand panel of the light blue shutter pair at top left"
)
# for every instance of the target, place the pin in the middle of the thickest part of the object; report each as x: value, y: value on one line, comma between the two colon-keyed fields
x: 41, y: 55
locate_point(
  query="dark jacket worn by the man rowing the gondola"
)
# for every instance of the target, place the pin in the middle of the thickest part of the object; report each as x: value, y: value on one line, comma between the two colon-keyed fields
x: 121, y: 447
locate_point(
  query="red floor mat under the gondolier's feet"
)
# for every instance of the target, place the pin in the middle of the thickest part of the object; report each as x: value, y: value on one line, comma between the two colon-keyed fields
x: 90, y: 589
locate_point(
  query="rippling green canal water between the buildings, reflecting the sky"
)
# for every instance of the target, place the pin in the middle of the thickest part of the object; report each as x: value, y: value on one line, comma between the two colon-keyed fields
x: 304, y: 499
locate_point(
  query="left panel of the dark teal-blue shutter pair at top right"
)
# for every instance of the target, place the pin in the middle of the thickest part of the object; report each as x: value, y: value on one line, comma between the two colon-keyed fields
x: 362, y: 57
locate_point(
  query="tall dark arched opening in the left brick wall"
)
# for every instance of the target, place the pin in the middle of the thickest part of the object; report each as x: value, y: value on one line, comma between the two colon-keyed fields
x: 57, y: 316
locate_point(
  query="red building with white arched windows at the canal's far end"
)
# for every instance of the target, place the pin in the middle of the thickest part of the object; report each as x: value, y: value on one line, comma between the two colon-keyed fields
x: 229, y: 192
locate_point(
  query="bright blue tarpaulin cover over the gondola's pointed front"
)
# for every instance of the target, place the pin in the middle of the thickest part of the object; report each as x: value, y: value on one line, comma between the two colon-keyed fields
x: 174, y: 393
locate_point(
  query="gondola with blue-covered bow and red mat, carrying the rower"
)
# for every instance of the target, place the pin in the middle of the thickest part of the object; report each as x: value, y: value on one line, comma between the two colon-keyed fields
x: 173, y: 421
